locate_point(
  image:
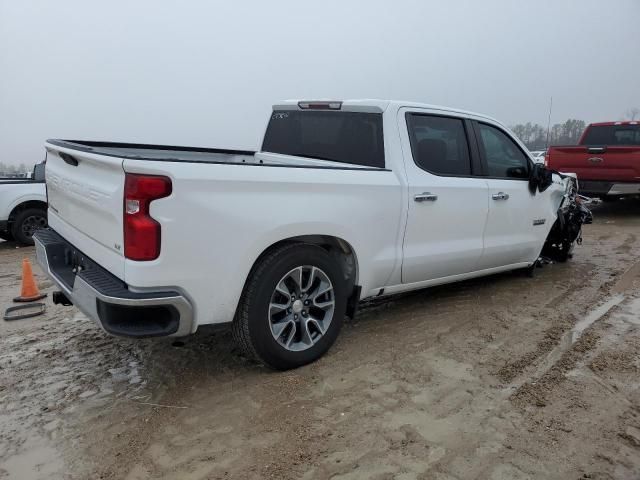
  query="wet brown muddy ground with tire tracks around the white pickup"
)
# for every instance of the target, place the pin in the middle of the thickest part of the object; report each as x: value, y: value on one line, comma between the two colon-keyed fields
x: 505, y: 377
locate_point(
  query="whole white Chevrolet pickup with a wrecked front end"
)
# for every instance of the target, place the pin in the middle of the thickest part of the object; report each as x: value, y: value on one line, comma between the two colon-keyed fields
x: 346, y: 200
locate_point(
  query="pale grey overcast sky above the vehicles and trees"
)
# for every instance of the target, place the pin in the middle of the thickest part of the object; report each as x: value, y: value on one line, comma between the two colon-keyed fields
x: 203, y: 73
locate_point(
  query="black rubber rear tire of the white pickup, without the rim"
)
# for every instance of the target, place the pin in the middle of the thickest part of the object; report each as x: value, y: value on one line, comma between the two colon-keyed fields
x: 251, y: 326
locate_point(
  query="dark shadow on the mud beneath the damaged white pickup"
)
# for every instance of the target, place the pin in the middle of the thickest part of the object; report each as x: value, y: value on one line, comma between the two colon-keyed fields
x: 211, y: 353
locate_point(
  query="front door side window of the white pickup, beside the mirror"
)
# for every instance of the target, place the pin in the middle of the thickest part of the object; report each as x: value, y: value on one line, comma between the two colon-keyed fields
x: 503, y: 156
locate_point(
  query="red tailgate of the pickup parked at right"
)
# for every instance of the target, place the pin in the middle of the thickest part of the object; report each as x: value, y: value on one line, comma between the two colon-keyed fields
x: 612, y: 163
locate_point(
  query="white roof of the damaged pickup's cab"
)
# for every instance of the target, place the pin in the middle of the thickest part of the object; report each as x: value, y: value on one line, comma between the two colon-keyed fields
x: 374, y: 106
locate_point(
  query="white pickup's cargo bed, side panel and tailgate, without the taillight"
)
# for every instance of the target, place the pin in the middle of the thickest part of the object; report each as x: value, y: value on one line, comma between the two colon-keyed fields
x: 216, y: 207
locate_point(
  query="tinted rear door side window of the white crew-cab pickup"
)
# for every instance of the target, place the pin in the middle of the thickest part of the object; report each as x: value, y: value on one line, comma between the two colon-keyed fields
x: 439, y: 144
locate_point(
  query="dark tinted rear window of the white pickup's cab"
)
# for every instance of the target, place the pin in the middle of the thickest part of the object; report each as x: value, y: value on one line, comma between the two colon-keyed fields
x: 338, y: 136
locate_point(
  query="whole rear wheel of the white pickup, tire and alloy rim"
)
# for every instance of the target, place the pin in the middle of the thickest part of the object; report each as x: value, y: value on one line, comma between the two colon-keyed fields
x: 292, y: 307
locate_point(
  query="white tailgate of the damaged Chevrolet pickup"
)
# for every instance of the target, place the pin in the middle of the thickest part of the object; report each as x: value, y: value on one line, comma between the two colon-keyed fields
x: 85, y: 194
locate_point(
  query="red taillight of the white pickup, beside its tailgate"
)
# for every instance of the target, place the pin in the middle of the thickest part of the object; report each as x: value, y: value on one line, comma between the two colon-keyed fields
x: 141, y: 231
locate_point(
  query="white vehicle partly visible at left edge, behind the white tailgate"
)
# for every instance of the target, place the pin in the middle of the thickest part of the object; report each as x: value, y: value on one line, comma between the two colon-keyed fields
x: 23, y: 206
